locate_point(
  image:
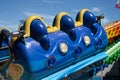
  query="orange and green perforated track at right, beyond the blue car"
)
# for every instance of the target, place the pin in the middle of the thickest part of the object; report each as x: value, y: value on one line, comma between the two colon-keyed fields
x: 113, y: 49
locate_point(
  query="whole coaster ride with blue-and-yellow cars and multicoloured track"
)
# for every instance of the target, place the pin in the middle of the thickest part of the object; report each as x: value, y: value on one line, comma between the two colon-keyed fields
x: 67, y: 50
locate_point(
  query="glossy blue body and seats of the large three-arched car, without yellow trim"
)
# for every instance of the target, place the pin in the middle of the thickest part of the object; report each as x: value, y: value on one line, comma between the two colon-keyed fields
x: 34, y: 53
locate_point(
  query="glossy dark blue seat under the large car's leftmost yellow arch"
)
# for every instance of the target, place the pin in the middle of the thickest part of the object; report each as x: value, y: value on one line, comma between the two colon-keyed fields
x: 39, y: 33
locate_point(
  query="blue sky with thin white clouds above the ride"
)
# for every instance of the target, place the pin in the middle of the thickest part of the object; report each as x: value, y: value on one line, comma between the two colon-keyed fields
x: 12, y: 11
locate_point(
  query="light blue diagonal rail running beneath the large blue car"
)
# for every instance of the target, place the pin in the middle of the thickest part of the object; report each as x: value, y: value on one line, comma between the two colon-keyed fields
x: 73, y: 68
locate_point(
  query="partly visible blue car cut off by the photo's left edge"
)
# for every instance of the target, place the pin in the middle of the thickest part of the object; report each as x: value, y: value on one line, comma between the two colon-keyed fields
x: 5, y: 53
